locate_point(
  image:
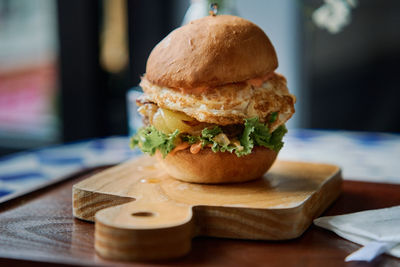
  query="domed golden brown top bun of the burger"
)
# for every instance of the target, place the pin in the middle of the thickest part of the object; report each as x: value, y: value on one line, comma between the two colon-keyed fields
x: 211, y: 51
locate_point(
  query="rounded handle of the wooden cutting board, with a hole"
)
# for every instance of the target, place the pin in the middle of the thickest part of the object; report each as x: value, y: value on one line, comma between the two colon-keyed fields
x: 144, y: 229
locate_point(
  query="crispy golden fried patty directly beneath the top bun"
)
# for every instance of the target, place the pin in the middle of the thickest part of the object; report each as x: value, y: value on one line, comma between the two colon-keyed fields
x: 229, y: 104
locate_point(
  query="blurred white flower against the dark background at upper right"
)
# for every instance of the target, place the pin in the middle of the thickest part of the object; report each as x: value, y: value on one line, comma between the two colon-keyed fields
x: 333, y: 15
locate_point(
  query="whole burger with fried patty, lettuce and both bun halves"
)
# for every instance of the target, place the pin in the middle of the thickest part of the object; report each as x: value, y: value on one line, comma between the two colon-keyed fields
x: 213, y: 107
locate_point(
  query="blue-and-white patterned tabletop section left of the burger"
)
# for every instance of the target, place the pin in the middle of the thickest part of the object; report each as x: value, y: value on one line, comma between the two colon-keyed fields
x: 27, y: 171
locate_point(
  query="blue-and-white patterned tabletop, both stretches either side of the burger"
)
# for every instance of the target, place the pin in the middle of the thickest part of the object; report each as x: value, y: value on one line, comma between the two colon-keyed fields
x: 373, y: 157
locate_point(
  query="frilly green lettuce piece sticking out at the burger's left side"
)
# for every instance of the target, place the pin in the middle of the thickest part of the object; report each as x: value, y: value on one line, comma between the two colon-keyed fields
x: 149, y: 140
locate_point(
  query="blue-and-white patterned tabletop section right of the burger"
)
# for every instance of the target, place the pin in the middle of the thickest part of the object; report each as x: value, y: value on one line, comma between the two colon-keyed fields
x: 363, y: 156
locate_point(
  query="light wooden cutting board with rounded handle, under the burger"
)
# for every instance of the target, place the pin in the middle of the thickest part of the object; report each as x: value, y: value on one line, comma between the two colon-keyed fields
x: 143, y: 214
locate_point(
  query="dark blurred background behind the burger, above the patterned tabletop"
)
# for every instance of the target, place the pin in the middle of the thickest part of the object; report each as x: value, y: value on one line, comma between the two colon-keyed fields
x: 66, y: 66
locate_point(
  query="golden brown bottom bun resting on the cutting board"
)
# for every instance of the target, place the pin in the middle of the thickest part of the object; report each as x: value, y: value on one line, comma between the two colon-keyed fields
x: 215, y: 168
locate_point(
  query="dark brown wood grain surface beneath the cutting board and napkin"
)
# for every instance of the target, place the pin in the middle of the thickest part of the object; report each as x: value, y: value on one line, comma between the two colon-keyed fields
x: 38, y: 230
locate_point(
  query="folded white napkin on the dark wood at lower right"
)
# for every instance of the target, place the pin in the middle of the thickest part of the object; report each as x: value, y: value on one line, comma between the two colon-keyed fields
x: 377, y: 230
